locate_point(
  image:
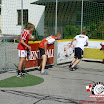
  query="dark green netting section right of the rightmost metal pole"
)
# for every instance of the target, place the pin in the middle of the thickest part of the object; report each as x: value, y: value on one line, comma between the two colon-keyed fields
x: 94, y: 19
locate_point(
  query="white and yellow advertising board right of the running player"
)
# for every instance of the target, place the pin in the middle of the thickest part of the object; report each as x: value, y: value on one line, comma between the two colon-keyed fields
x: 94, y: 51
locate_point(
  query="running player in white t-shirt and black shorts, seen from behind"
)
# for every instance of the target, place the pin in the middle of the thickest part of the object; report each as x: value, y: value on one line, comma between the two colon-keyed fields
x: 81, y: 41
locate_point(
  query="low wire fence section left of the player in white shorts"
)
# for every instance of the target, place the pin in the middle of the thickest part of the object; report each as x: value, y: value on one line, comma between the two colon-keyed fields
x: 8, y: 53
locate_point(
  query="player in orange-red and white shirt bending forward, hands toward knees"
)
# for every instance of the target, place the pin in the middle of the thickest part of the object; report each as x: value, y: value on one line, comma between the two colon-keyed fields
x: 43, y: 50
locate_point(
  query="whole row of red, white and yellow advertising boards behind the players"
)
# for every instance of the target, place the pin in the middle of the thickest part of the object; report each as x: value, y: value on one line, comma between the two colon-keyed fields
x: 64, y: 53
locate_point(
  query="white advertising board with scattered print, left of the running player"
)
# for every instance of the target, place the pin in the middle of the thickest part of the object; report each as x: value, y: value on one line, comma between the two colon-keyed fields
x: 64, y: 53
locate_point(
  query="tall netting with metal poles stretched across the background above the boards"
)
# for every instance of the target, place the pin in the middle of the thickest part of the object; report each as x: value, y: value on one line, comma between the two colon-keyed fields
x: 50, y: 16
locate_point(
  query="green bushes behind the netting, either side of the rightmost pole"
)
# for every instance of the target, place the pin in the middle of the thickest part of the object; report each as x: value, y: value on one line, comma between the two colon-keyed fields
x: 94, y: 31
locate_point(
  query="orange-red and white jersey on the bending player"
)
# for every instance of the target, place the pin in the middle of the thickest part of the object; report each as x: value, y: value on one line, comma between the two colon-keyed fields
x: 50, y: 39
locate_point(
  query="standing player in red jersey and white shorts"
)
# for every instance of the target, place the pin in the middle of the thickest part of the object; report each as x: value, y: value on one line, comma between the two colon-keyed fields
x: 23, y: 47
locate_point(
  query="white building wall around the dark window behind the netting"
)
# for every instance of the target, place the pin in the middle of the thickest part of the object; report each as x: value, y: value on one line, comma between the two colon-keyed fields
x: 10, y: 17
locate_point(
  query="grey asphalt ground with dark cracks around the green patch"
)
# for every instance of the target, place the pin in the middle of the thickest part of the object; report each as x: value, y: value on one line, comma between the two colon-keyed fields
x: 61, y: 86
